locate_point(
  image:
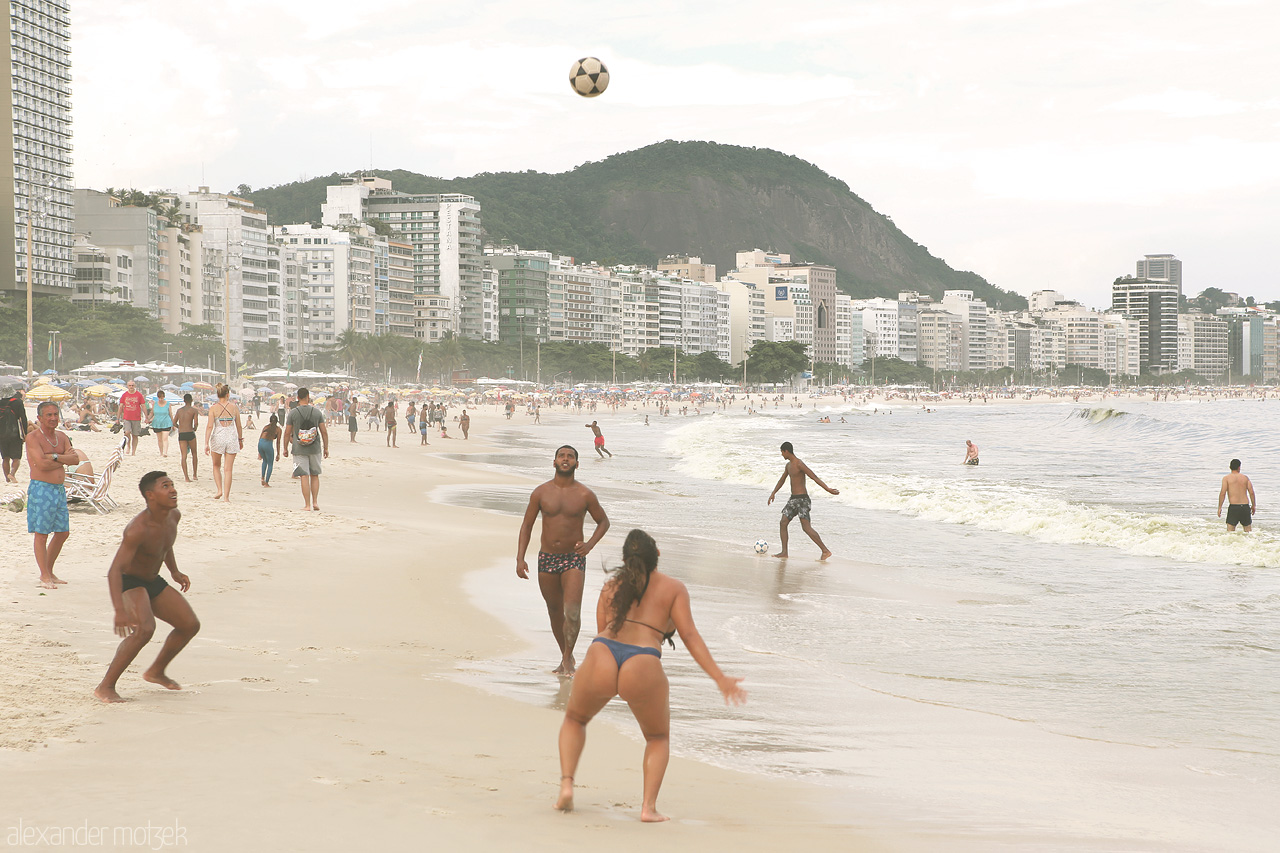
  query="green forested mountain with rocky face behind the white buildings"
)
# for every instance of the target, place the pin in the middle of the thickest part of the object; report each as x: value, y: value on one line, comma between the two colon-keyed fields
x: 685, y: 198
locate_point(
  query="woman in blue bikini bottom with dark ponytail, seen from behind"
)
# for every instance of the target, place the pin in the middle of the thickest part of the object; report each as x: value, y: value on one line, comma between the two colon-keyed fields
x: 639, y: 609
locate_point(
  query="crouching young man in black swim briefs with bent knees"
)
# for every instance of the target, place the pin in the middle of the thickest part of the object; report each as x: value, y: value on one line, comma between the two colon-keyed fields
x: 140, y: 595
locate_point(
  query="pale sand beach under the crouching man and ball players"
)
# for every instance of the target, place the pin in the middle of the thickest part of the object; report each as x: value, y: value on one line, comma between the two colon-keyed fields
x: 319, y: 709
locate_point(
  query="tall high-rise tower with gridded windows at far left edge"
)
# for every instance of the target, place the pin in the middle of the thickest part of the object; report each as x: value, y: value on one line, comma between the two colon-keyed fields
x: 38, y: 174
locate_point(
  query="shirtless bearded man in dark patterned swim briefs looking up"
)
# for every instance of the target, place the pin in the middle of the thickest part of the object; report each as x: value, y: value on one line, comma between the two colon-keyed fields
x: 564, y: 504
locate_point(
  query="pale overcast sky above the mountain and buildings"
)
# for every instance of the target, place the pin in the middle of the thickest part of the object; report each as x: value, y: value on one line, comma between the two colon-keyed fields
x: 1043, y: 144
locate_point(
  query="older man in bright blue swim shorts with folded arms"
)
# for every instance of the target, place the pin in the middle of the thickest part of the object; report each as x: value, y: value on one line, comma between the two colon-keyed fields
x: 49, y: 451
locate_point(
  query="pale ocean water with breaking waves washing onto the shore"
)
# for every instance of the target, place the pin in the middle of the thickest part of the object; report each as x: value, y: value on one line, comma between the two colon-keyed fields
x: 1060, y: 649
